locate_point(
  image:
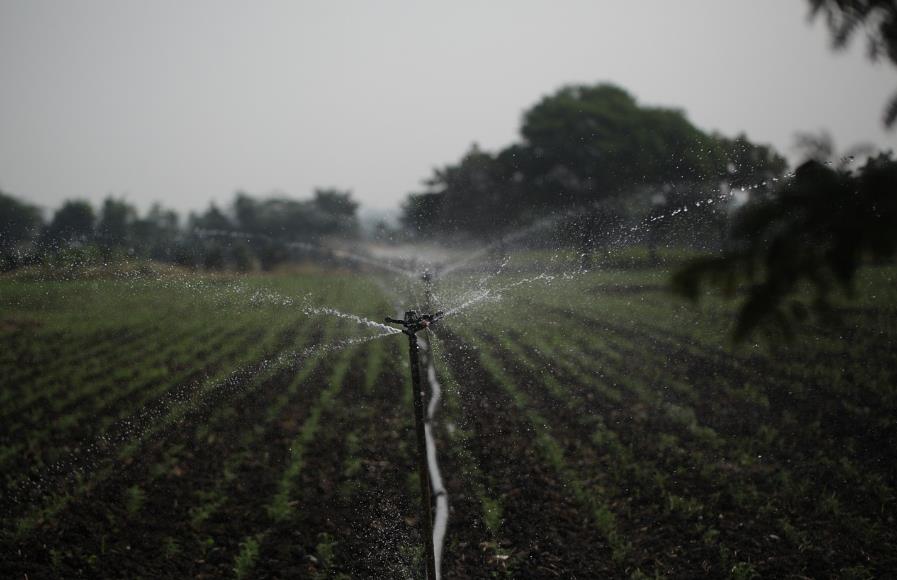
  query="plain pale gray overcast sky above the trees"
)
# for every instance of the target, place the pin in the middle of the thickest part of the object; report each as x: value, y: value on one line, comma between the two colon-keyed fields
x: 186, y: 102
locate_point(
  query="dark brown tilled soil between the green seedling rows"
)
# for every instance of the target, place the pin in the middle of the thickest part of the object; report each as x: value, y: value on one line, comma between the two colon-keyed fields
x: 356, y: 505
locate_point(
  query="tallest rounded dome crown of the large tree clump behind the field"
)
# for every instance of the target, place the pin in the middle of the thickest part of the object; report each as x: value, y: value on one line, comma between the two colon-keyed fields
x: 589, y: 142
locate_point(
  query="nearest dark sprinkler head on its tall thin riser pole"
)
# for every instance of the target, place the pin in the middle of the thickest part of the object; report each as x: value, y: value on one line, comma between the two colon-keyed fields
x: 412, y: 323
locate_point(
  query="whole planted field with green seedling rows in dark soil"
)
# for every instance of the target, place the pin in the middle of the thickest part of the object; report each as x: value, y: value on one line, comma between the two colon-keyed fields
x: 591, y: 425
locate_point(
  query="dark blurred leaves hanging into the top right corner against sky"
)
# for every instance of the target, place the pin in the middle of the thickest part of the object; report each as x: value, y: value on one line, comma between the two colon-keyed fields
x: 876, y: 18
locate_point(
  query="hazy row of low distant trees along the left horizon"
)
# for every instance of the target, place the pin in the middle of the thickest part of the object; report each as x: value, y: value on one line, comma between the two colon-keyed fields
x: 250, y: 233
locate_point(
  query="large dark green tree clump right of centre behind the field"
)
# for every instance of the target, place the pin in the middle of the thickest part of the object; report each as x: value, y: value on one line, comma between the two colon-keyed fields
x: 581, y: 146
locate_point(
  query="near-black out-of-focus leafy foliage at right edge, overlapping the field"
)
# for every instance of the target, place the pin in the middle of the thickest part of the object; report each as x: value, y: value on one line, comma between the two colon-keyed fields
x: 791, y: 250
